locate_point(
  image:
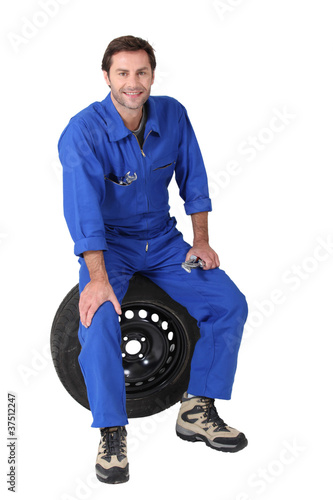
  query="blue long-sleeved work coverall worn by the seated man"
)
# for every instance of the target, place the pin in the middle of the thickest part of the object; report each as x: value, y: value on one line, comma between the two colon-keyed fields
x: 131, y: 223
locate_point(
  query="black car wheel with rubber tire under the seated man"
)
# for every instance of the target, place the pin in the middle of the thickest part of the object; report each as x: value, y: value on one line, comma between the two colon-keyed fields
x: 143, y: 397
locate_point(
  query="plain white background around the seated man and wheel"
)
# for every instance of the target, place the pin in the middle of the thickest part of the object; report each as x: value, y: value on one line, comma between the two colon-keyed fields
x: 234, y: 65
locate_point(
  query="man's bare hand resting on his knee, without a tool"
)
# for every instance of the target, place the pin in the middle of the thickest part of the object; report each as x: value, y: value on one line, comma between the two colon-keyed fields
x: 94, y: 294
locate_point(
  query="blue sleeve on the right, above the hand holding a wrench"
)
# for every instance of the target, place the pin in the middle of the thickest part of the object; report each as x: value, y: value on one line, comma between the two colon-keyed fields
x: 190, y: 172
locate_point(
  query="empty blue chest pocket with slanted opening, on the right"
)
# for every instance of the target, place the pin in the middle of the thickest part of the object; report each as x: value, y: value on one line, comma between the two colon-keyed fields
x: 160, y: 176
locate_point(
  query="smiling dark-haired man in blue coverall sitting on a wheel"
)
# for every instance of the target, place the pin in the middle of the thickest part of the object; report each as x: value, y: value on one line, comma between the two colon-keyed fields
x: 118, y: 157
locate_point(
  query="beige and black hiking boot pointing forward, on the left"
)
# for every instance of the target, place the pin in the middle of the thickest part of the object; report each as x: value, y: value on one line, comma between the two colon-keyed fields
x: 111, y: 461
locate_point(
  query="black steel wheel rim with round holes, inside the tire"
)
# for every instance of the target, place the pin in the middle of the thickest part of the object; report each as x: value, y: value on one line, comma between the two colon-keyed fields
x: 153, y: 347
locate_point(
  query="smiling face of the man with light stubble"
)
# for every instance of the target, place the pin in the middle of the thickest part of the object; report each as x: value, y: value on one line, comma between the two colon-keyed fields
x: 130, y: 78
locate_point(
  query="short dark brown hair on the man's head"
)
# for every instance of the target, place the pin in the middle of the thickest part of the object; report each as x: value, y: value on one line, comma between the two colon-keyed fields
x: 127, y: 43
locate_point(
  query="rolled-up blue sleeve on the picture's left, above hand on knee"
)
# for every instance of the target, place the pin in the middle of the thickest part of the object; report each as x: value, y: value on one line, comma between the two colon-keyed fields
x: 83, y: 188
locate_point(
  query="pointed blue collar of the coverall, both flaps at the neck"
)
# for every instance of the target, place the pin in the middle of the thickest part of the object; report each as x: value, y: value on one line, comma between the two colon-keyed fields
x: 115, y: 125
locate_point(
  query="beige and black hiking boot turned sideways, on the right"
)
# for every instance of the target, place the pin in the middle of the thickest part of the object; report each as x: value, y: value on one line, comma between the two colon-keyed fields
x: 198, y: 420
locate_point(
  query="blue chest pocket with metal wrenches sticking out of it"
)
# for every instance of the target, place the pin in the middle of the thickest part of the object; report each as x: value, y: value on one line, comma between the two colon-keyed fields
x: 120, y: 194
